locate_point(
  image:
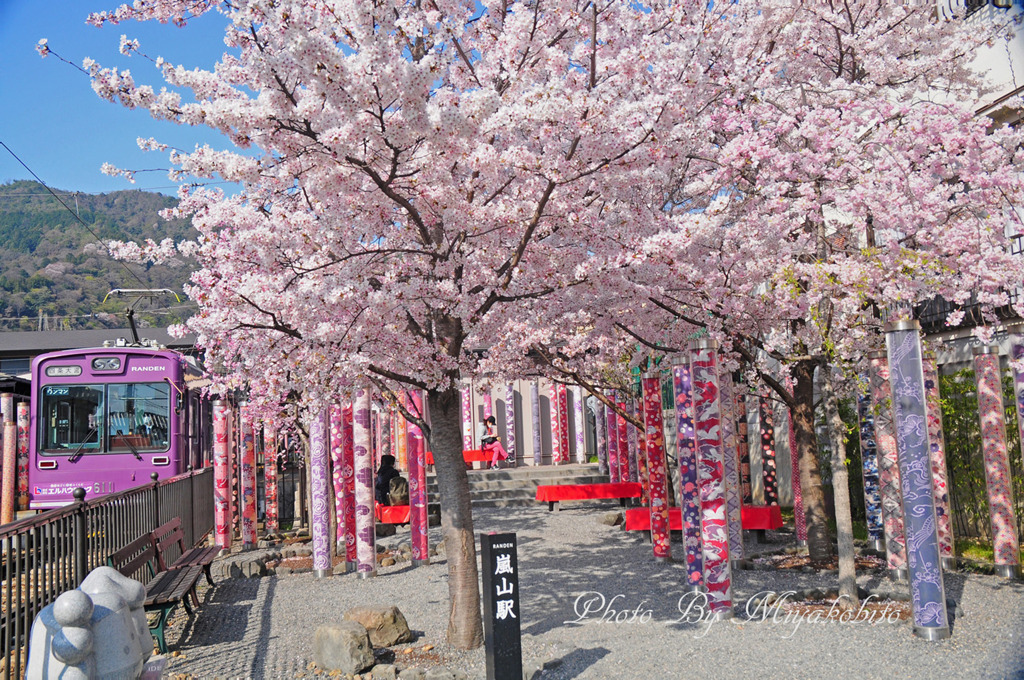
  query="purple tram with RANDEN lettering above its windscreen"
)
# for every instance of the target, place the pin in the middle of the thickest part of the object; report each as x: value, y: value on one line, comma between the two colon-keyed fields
x: 105, y: 419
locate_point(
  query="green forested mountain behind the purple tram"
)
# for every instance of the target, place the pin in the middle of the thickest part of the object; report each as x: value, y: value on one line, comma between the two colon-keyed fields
x: 55, y: 272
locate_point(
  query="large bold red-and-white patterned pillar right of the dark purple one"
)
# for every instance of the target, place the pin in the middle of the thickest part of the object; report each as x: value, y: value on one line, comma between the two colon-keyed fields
x: 714, y: 520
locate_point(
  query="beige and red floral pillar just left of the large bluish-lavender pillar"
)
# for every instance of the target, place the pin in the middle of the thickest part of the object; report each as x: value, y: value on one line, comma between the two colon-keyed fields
x: 889, y: 483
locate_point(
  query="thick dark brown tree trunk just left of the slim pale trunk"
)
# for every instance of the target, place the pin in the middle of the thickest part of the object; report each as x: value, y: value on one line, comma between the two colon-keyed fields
x: 819, y: 541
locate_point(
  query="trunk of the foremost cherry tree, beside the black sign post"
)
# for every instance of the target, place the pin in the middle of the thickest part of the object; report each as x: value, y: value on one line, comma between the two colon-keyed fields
x: 465, y: 625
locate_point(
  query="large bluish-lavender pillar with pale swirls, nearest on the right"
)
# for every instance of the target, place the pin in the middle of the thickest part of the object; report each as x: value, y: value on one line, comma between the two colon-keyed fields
x: 928, y: 596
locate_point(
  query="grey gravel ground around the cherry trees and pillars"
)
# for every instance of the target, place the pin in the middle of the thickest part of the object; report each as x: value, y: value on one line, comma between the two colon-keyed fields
x: 264, y: 628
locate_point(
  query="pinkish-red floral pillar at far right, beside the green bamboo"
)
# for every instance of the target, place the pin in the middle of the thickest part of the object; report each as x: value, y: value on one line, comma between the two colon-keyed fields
x: 994, y: 447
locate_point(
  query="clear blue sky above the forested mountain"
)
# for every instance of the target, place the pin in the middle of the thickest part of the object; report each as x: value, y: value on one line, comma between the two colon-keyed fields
x: 51, y: 117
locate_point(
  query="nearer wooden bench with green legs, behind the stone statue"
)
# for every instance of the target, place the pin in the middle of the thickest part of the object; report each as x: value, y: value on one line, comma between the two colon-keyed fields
x: 165, y: 590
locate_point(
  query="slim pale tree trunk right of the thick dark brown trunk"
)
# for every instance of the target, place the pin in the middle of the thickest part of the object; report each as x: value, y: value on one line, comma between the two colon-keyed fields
x: 841, y: 493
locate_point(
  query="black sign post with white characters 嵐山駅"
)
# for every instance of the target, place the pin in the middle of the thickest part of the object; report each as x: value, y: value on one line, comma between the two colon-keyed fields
x: 501, y: 607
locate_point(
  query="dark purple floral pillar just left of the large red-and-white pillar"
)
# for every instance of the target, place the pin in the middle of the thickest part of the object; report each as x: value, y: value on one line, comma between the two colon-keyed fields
x: 690, y: 492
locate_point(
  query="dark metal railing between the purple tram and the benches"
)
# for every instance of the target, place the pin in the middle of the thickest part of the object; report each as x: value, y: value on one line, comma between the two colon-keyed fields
x: 44, y: 557
